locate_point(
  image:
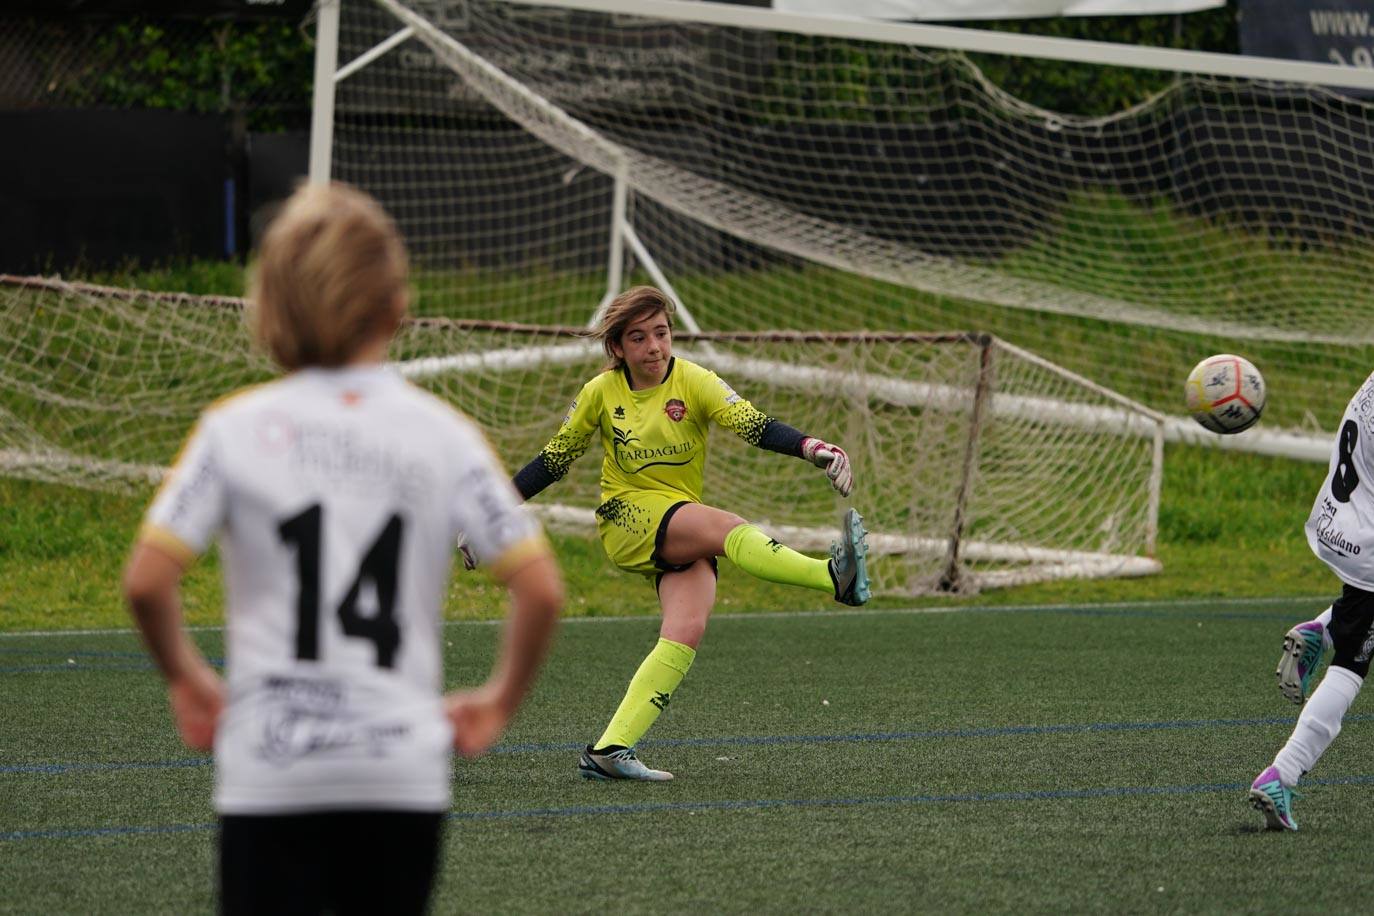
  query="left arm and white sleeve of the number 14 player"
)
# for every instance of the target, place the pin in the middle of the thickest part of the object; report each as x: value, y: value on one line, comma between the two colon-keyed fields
x: 183, y: 517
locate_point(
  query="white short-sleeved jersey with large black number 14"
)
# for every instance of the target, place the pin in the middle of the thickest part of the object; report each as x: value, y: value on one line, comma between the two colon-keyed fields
x: 339, y: 496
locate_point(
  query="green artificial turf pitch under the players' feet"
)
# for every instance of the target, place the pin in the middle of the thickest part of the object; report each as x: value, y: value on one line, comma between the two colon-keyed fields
x: 1024, y: 759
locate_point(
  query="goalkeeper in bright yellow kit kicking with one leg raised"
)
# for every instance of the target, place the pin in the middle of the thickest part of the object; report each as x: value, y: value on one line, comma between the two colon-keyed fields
x: 653, y: 413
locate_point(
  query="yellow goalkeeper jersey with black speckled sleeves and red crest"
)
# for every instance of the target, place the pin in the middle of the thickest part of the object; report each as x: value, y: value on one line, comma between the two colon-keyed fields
x: 653, y: 439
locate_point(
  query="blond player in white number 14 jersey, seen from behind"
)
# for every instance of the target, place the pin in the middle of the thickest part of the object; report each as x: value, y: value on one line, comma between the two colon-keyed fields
x: 339, y: 494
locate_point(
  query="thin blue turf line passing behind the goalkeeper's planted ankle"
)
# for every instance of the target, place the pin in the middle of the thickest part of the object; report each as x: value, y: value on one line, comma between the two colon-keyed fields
x: 755, y: 741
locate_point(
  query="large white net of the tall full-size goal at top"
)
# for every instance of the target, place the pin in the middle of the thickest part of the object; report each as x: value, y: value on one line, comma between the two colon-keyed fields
x: 539, y: 156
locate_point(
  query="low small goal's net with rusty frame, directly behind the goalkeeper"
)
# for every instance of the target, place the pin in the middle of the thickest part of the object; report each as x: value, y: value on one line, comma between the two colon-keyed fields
x: 978, y: 463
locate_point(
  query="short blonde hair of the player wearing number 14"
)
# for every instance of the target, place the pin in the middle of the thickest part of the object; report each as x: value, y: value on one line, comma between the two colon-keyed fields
x: 330, y: 277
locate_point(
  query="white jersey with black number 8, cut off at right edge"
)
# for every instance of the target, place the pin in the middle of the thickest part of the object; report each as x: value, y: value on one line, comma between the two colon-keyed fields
x: 1342, y: 527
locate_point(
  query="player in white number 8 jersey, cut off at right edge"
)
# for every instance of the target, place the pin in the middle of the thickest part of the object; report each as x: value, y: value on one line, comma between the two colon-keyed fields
x: 1340, y: 531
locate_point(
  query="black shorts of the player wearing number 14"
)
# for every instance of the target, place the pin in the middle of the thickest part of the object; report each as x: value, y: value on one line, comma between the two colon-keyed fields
x: 329, y: 862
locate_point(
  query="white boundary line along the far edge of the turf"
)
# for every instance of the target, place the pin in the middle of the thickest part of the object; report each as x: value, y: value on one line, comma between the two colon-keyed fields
x: 774, y: 616
